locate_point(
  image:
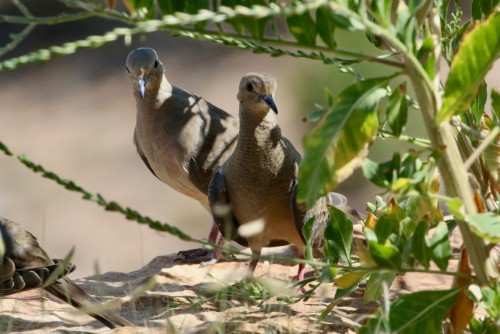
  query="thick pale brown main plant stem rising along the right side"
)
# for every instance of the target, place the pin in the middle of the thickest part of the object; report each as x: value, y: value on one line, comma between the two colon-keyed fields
x: 429, y: 99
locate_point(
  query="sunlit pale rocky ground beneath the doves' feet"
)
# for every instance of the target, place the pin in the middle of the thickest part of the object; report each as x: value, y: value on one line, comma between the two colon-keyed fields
x: 188, y: 298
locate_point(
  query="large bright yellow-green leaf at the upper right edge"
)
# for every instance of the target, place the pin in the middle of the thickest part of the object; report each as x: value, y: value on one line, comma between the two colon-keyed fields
x: 476, y: 55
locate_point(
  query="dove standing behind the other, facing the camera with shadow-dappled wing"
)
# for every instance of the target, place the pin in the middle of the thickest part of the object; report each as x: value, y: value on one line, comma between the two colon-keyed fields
x: 181, y: 138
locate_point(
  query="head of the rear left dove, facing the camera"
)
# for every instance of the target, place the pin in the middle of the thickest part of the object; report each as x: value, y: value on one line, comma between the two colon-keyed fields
x: 144, y: 69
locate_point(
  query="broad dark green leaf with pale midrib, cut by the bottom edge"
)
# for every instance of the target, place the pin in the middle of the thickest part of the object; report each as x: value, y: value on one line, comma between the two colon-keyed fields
x: 421, y: 312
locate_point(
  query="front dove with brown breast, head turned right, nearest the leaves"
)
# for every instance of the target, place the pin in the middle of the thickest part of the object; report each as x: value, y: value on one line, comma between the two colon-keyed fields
x: 258, y: 182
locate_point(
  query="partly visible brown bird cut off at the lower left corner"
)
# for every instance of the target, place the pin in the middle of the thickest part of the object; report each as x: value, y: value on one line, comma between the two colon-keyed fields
x: 24, y: 265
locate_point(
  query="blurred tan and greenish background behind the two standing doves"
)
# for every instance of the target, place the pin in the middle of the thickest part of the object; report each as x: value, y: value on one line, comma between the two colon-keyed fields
x: 75, y: 115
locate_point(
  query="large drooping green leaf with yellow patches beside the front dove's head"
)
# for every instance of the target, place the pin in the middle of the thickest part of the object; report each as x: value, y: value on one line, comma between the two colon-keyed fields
x: 337, y: 144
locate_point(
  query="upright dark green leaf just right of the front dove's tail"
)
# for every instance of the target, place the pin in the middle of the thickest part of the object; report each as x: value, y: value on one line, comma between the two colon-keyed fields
x: 338, y: 236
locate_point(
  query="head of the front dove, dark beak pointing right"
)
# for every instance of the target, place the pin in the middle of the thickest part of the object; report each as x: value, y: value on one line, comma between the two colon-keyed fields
x: 256, y: 93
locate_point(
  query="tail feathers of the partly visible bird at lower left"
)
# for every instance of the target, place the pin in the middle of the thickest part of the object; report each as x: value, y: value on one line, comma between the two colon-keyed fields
x: 66, y: 290
